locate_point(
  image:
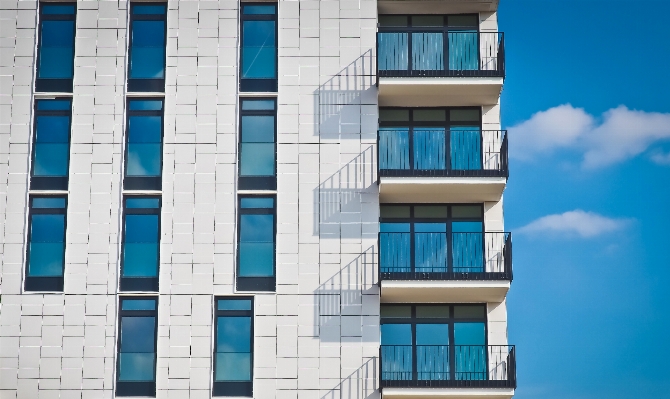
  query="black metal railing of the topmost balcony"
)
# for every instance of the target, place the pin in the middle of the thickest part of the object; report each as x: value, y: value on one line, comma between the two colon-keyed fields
x: 436, y: 53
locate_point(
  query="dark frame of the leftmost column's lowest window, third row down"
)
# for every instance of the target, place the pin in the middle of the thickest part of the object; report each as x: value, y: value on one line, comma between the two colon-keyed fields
x: 46, y: 284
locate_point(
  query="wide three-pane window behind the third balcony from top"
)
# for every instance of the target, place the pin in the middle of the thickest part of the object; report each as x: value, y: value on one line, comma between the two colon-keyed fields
x: 427, y: 239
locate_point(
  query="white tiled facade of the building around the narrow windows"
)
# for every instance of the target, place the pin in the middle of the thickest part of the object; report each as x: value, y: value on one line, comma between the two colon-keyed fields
x: 318, y: 336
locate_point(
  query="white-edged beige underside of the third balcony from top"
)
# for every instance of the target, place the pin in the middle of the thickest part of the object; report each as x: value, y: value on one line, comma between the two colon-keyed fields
x: 443, y: 291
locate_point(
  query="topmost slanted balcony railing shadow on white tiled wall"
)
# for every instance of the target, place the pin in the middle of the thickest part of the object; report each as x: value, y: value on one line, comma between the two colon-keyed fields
x: 339, y: 111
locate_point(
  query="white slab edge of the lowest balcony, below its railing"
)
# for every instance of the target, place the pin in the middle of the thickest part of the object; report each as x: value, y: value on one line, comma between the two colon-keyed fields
x: 447, y: 393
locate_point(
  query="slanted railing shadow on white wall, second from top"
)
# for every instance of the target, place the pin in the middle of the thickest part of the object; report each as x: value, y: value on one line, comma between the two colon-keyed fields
x: 341, y: 196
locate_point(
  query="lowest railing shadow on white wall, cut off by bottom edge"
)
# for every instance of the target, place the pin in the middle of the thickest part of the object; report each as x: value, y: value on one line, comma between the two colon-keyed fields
x: 361, y: 384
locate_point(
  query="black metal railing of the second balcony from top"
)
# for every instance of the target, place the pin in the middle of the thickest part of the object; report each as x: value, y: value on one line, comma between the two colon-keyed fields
x: 435, y: 151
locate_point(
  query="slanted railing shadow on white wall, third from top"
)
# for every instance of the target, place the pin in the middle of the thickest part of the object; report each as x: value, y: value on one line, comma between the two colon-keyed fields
x: 339, y: 302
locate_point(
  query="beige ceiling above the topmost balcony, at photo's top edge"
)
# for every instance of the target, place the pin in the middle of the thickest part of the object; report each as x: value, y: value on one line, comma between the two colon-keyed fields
x: 435, y: 6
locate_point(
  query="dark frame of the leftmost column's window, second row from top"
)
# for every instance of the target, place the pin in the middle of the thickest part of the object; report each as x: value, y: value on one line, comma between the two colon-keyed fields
x: 50, y: 182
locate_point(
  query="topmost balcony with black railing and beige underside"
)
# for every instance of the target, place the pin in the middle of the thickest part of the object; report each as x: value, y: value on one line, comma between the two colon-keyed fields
x: 418, y: 66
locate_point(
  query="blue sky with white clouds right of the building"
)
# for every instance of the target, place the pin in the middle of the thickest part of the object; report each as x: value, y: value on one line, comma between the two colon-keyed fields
x: 588, y: 308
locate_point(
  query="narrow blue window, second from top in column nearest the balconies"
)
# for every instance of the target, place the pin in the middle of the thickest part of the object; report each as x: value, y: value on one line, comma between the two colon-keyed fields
x: 258, y: 135
